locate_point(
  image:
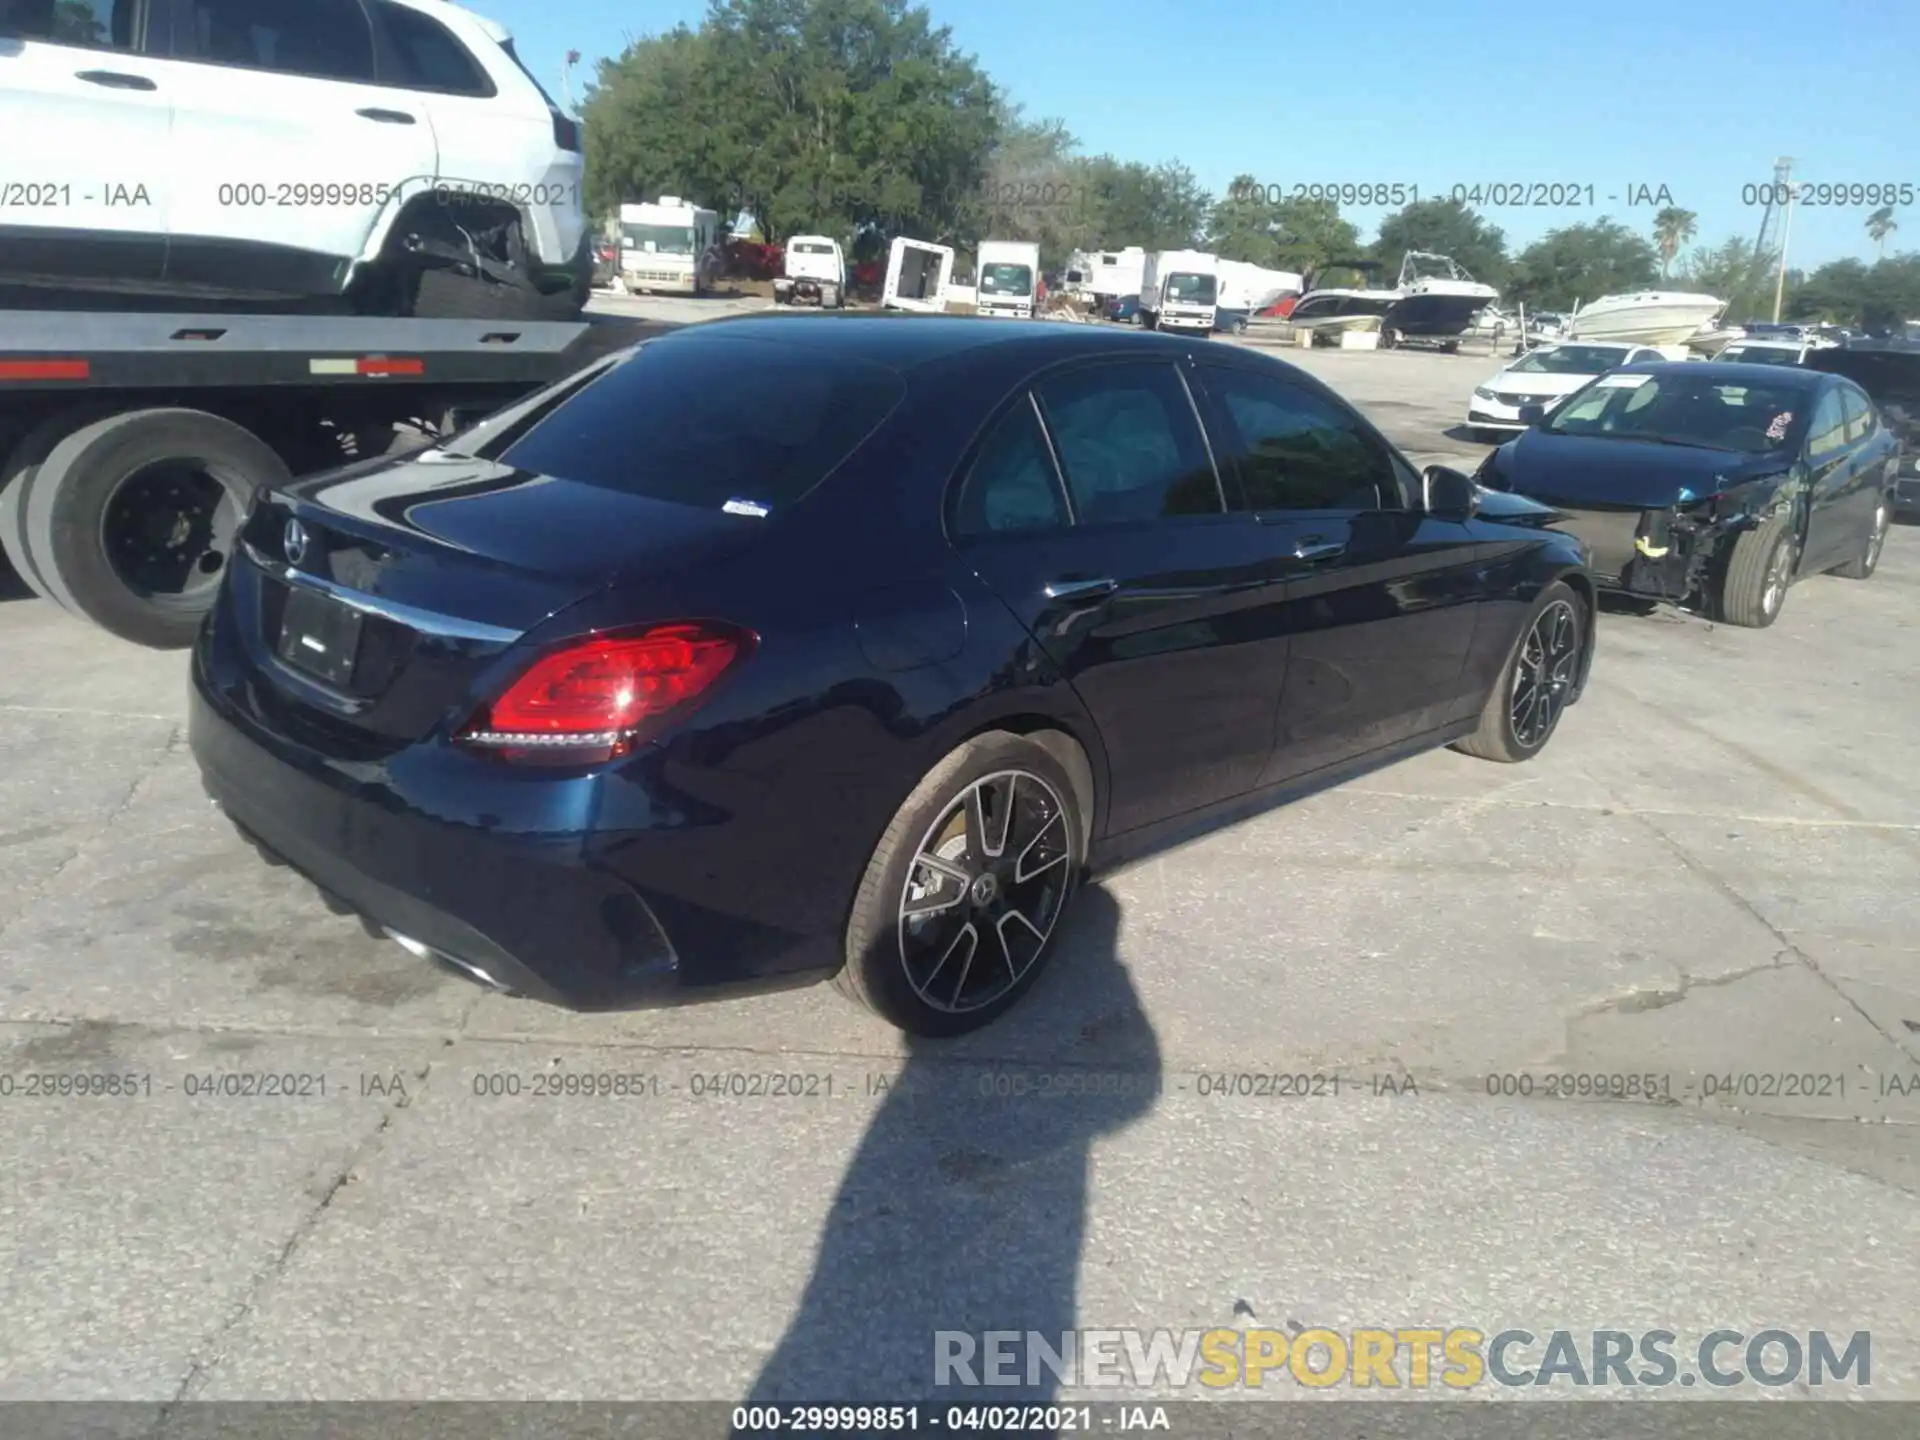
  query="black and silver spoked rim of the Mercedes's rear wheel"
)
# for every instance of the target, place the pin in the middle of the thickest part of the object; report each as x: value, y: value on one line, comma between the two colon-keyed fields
x: 984, y: 892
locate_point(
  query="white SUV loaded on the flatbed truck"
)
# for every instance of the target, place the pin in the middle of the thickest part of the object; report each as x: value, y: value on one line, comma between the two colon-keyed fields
x: 375, y: 156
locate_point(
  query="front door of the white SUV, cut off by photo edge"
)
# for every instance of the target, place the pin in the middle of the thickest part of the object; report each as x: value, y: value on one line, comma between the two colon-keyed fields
x: 85, y: 130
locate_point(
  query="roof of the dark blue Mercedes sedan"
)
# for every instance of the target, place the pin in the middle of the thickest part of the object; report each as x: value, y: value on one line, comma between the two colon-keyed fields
x: 905, y: 343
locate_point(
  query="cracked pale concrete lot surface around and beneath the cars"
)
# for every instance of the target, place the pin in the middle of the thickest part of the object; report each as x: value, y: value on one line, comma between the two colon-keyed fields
x: 1708, y: 884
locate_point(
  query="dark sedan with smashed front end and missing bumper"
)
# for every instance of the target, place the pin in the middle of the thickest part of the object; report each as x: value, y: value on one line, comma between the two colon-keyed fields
x: 1712, y: 485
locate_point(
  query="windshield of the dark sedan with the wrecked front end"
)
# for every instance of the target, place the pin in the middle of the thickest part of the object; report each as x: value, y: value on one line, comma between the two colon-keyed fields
x: 1683, y: 410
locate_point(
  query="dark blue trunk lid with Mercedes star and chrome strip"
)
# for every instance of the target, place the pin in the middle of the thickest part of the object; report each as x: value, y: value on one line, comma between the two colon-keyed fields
x: 379, y: 602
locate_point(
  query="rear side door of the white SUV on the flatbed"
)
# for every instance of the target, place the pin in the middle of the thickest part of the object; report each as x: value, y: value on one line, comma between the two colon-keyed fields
x: 285, y: 149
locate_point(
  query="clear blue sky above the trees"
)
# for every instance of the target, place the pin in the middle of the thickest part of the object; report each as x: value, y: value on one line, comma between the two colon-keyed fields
x: 1692, y: 95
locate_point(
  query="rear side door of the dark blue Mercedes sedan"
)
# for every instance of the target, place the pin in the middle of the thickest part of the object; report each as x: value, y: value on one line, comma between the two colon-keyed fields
x: 1095, y: 512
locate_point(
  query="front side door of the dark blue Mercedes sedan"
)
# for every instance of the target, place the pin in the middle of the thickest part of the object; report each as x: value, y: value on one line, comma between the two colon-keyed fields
x: 1381, y: 600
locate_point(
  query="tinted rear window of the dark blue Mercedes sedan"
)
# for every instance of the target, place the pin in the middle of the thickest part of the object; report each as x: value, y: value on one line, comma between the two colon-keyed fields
x: 740, y: 425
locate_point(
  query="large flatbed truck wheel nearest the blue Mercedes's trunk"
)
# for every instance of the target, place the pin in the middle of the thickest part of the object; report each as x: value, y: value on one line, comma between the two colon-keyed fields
x: 132, y: 519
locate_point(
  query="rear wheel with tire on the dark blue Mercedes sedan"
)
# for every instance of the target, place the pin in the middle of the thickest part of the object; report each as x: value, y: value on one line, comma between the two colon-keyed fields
x: 901, y: 967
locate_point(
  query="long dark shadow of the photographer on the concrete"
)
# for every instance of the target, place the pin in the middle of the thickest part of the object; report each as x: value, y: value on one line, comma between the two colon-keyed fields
x: 967, y: 1203
